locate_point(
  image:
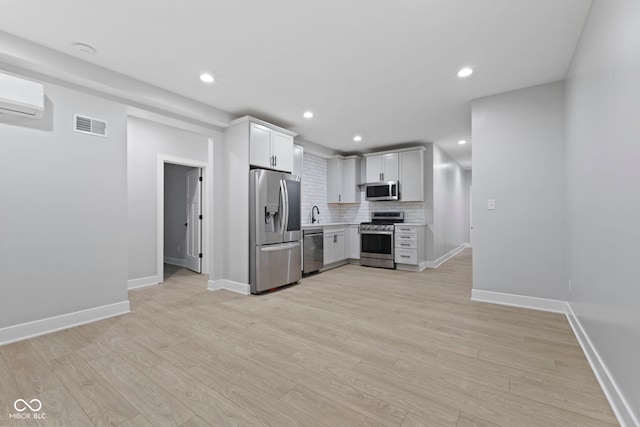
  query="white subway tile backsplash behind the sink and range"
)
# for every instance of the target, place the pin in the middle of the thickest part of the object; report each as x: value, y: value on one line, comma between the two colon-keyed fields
x: 314, y: 192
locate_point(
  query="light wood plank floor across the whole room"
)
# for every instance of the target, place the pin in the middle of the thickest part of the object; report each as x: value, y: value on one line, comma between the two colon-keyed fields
x: 354, y: 346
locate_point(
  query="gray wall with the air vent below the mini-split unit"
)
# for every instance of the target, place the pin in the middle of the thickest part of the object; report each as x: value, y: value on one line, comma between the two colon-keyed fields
x: 63, y: 211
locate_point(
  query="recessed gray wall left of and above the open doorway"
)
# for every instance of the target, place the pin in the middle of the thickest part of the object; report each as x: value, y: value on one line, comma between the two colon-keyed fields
x: 147, y: 140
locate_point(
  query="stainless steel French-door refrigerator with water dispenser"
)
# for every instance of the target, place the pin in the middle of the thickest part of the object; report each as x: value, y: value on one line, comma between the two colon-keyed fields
x: 274, y: 228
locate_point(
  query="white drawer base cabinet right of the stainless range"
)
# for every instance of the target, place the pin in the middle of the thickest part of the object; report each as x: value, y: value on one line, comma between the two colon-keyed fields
x: 410, y: 251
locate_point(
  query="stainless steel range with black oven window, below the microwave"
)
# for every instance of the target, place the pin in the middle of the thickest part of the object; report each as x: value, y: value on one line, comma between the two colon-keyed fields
x: 376, y: 239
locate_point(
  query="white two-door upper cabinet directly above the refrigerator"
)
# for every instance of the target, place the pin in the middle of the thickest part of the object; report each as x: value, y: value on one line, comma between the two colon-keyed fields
x: 269, y: 148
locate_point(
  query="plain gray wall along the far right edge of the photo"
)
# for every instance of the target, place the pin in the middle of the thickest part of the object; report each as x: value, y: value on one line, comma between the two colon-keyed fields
x: 603, y: 179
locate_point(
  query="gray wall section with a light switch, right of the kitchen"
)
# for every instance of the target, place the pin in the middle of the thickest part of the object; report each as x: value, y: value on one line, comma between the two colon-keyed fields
x: 518, y: 160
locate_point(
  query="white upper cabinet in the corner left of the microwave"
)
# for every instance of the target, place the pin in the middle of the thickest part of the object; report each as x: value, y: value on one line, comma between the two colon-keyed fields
x: 343, y: 176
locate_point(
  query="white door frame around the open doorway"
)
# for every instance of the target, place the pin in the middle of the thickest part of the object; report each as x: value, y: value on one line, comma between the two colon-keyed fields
x: 204, y: 206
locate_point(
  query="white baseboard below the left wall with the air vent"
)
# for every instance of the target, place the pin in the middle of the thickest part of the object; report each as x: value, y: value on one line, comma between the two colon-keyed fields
x: 28, y: 330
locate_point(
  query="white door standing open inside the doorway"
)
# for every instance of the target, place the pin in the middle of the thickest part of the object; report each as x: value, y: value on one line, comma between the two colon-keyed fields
x: 194, y: 221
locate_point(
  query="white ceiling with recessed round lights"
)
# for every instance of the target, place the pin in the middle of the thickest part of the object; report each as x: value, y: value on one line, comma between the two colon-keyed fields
x: 379, y: 68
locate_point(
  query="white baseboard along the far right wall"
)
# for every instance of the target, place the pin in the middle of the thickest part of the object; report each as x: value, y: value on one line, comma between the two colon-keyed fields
x: 619, y: 404
